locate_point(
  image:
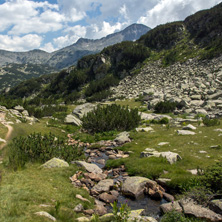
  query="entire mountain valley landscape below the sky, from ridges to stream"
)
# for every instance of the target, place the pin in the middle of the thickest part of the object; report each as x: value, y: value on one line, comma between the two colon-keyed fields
x: 131, y: 132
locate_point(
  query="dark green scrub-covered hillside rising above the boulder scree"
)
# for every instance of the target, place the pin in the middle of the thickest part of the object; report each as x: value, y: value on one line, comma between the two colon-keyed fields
x: 199, y: 37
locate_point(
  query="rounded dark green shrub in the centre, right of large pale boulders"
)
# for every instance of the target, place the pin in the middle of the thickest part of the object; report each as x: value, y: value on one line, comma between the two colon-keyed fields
x: 113, y: 117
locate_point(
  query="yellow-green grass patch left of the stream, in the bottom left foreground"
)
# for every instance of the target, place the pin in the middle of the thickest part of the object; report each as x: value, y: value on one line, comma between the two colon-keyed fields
x: 22, y: 192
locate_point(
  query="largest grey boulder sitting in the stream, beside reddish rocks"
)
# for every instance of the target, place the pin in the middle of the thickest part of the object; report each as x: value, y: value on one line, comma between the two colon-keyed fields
x: 135, y: 186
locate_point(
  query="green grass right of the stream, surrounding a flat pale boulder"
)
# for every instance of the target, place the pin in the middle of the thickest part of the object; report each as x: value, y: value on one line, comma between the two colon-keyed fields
x: 187, y: 147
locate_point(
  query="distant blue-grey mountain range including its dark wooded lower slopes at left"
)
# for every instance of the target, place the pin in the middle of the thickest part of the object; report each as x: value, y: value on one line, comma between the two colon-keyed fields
x: 16, y: 67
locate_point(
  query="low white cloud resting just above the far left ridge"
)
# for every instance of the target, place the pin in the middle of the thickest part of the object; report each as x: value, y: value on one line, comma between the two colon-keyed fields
x: 15, y: 43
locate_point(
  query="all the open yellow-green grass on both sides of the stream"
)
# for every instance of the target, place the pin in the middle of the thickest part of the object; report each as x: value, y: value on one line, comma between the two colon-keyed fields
x: 23, y: 191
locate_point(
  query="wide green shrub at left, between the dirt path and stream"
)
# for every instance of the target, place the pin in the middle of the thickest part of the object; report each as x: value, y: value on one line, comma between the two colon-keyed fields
x: 38, y: 148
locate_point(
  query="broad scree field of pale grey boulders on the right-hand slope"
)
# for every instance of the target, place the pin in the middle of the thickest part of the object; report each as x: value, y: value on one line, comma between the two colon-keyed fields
x: 194, y: 84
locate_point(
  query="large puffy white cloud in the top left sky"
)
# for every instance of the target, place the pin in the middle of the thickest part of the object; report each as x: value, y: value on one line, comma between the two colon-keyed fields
x: 23, y: 17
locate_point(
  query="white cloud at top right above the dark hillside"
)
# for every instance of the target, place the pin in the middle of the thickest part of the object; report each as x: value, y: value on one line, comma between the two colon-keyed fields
x: 174, y: 10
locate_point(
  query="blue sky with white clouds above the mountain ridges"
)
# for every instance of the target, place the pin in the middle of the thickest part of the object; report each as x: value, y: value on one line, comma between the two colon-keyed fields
x: 52, y: 24
